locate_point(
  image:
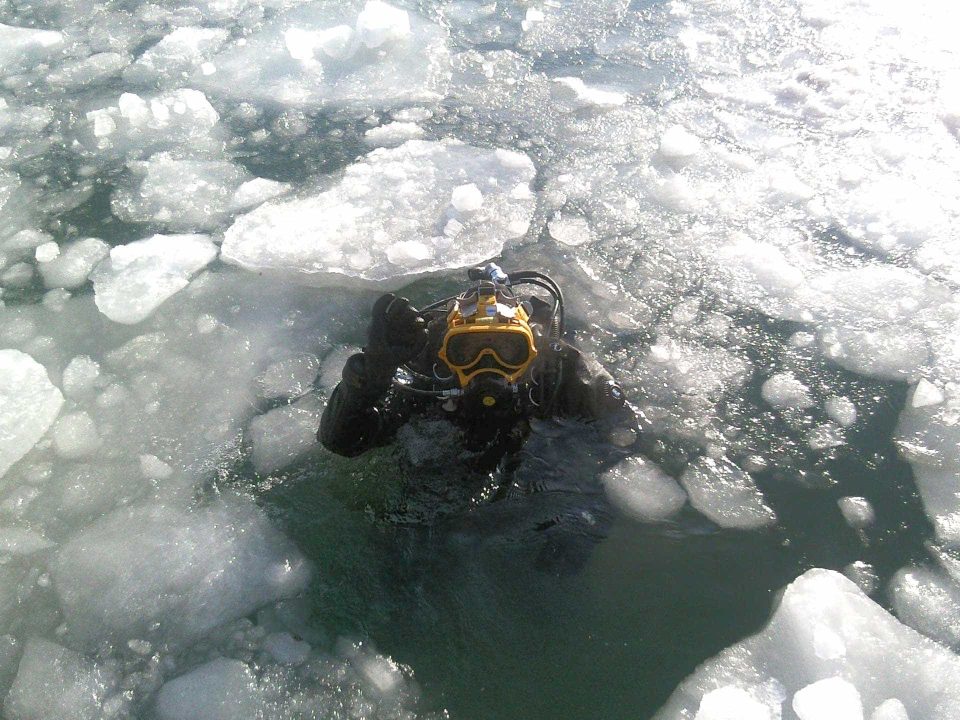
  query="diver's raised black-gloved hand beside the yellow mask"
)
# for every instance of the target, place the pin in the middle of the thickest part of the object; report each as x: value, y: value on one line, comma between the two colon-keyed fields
x: 397, y: 334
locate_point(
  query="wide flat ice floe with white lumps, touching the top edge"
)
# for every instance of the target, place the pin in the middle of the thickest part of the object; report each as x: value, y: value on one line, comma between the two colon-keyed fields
x: 349, y: 56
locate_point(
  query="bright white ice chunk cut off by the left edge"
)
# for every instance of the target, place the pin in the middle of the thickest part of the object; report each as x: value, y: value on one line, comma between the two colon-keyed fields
x: 29, y: 403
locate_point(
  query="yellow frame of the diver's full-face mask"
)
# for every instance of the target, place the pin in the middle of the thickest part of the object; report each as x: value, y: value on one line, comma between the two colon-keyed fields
x: 481, y: 314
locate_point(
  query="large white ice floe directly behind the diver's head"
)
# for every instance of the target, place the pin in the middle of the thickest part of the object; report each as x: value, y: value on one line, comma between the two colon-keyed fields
x: 396, y: 214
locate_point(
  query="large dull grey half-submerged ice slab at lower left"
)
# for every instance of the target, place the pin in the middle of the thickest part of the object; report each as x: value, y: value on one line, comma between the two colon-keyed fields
x: 163, y: 572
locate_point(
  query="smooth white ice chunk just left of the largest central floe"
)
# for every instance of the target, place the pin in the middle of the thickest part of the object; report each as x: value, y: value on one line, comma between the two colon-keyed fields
x: 138, y: 277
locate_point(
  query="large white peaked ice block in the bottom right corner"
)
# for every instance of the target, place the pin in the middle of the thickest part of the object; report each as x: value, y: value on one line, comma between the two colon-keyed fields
x: 826, y: 629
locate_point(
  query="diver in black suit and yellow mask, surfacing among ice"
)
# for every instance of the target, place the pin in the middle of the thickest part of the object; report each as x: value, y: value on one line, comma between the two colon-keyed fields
x: 489, y: 360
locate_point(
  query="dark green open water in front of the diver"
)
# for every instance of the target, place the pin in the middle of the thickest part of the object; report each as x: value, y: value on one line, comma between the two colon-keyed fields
x: 503, y: 613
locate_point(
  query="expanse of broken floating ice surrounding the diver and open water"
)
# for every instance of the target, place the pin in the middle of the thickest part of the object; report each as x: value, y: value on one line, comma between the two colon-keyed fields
x: 753, y: 209
